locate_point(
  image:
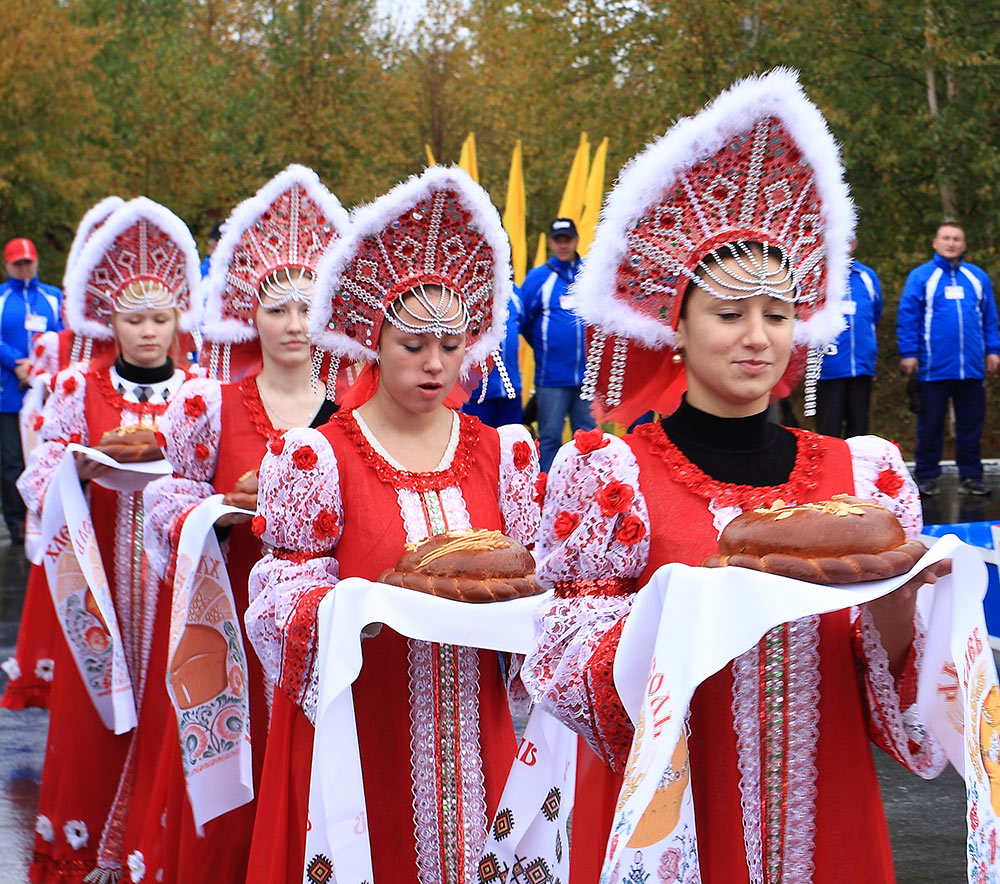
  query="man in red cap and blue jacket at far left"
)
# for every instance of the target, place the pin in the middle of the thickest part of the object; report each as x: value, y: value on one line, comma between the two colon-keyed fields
x: 28, y: 307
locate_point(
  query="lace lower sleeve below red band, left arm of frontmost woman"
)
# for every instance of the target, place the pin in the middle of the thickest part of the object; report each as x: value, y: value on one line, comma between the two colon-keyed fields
x: 569, y: 671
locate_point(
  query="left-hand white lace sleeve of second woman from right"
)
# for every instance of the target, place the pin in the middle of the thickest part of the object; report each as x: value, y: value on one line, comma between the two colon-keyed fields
x: 299, y: 517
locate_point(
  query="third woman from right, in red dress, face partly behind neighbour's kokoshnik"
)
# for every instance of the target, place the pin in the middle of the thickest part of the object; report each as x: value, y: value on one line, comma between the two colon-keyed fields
x: 257, y: 299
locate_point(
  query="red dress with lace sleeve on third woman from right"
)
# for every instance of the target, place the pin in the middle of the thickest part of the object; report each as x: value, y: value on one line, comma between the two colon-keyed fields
x: 213, y: 434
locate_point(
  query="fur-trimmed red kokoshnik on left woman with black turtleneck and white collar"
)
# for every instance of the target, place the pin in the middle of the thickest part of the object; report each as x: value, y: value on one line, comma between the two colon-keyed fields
x: 141, y: 240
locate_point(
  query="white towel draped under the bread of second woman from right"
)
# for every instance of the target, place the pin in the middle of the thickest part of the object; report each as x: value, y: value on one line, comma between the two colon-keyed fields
x: 337, y: 837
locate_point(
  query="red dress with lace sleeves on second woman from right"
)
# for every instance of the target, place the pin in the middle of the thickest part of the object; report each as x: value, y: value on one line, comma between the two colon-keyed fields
x: 434, y: 725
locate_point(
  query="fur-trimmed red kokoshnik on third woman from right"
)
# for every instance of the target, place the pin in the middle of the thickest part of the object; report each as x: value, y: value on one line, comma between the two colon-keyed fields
x: 288, y: 223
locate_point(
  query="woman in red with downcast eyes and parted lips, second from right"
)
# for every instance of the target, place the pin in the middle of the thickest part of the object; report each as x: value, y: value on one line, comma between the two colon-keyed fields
x: 418, y: 291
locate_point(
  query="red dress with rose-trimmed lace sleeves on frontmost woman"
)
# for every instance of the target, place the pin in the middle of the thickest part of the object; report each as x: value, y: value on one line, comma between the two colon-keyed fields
x: 615, y: 510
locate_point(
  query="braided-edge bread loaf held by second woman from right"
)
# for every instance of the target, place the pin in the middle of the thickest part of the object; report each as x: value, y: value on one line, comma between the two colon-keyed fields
x: 466, y: 566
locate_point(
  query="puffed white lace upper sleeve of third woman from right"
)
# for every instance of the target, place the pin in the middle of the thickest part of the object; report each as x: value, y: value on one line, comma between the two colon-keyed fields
x: 191, y: 428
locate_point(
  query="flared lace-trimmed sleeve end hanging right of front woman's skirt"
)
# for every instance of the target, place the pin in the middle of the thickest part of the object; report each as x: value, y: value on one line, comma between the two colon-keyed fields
x: 894, y: 724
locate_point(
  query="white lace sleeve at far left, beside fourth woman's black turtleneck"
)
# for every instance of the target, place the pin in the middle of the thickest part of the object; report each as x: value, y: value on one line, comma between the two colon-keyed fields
x: 63, y: 421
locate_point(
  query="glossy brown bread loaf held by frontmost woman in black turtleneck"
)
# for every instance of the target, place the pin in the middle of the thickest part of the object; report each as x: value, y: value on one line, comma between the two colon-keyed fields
x: 843, y: 540
